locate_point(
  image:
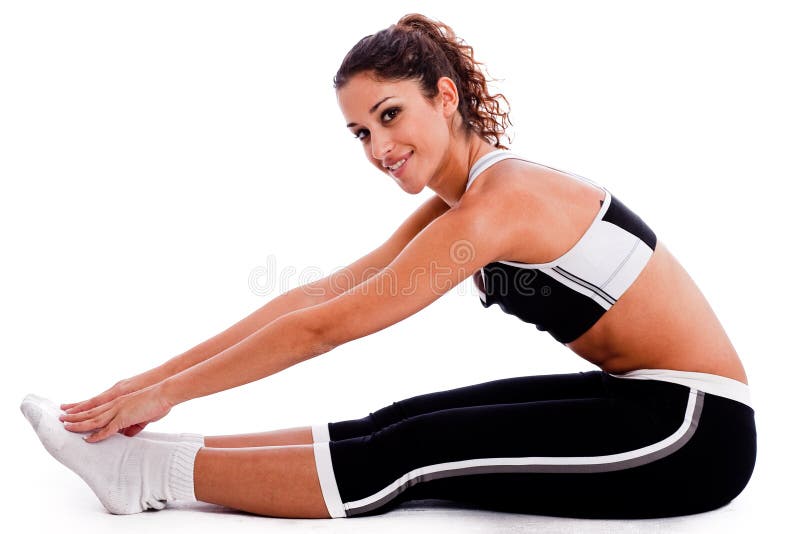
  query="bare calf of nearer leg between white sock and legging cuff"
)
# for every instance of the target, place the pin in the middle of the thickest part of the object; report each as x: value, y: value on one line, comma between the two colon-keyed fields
x: 277, y: 481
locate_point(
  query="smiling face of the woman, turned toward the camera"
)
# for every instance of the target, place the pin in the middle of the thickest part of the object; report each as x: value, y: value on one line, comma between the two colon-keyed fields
x: 393, y: 121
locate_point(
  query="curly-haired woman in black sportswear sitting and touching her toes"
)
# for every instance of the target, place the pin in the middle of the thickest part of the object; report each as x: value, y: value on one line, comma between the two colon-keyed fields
x: 663, y: 427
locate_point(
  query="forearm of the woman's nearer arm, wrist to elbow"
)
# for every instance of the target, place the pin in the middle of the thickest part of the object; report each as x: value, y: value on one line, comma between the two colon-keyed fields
x: 282, y: 343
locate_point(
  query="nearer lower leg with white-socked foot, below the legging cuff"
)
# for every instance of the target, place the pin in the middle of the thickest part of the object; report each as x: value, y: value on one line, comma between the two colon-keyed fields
x: 130, y: 475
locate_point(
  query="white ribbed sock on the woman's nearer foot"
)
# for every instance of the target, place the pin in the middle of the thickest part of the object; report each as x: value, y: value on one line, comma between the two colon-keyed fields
x: 128, y: 475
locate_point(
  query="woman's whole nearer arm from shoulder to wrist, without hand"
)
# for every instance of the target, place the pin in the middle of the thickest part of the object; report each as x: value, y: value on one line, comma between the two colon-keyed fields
x: 426, y: 268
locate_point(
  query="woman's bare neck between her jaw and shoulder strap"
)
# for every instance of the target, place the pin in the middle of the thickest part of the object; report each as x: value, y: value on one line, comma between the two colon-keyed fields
x: 450, y: 181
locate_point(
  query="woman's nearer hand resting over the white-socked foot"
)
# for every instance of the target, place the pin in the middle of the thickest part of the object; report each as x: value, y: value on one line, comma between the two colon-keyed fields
x: 128, y: 413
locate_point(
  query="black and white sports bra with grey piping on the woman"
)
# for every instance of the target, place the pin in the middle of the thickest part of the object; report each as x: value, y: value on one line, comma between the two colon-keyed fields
x: 568, y: 295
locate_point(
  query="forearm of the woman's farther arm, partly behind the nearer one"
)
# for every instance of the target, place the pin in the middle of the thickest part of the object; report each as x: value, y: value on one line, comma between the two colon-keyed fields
x: 281, y: 305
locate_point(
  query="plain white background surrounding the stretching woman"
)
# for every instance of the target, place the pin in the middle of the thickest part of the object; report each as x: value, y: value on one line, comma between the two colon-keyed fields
x: 153, y: 155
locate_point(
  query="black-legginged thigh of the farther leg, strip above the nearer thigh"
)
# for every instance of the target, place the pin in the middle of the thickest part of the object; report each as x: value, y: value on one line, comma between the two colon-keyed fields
x: 504, y: 391
